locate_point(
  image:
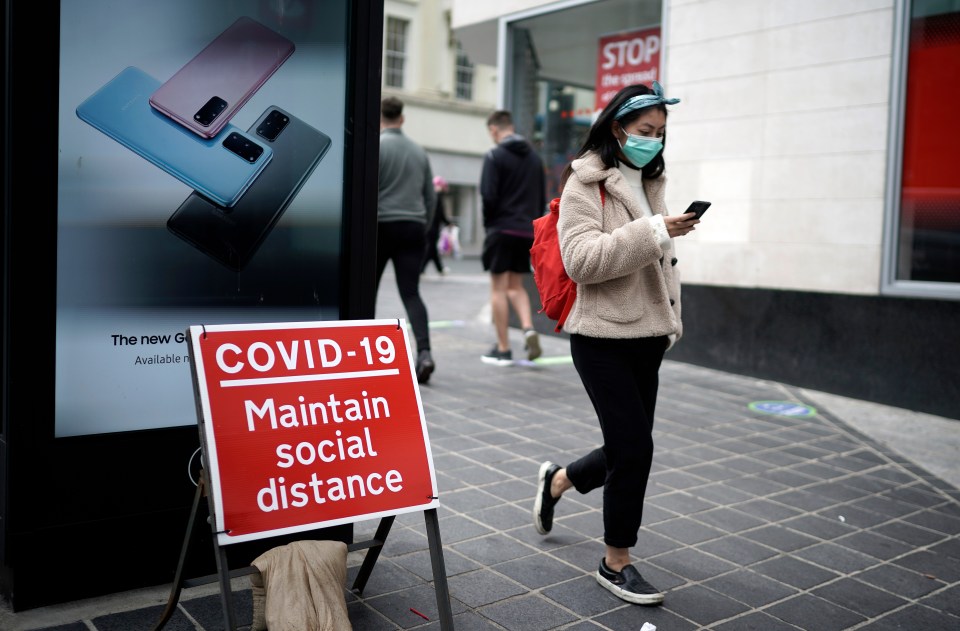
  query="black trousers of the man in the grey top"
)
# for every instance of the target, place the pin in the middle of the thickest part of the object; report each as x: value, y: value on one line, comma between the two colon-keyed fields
x: 403, y: 242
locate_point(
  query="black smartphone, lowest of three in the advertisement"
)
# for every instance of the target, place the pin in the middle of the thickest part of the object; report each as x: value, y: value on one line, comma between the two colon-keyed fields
x: 233, y: 235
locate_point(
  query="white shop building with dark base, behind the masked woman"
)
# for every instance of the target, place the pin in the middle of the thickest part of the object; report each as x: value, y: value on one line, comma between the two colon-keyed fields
x: 823, y: 133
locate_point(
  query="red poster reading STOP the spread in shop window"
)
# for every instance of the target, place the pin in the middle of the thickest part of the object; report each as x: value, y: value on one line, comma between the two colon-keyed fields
x: 625, y: 59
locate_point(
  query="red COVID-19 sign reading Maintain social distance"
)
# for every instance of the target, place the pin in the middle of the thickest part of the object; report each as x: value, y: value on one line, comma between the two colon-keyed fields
x: 309, y: 425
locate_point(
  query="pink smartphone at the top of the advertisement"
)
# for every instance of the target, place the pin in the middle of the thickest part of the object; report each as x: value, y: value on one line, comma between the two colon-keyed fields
x: 210, y: 88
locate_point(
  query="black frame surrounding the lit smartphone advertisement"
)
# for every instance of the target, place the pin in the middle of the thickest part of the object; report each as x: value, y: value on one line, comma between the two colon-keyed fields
x: 84, y: 516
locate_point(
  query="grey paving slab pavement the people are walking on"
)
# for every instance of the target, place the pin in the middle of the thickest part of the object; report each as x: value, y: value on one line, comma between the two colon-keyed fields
x: 769, y: 506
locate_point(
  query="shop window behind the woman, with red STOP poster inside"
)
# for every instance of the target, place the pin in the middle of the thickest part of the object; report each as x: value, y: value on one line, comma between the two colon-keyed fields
x: 552, y: 64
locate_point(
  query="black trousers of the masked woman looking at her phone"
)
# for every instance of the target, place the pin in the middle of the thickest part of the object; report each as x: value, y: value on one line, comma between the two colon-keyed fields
x: 622, y: 378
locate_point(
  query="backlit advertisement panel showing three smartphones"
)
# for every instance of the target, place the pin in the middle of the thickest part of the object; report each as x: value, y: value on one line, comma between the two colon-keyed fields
x: 200, y: 178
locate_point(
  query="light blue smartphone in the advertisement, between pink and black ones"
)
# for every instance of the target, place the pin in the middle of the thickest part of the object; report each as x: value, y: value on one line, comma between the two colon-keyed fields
x: 221, y: 168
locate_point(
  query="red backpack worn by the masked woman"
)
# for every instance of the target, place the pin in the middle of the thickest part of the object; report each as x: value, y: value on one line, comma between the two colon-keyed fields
x: 557, y: 291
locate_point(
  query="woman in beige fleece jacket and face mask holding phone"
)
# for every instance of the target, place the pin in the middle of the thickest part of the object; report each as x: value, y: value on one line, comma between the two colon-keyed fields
x: 616, y: 243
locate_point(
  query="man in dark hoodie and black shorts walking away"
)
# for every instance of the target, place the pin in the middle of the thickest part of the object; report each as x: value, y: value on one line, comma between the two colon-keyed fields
x: 513, y: 189
